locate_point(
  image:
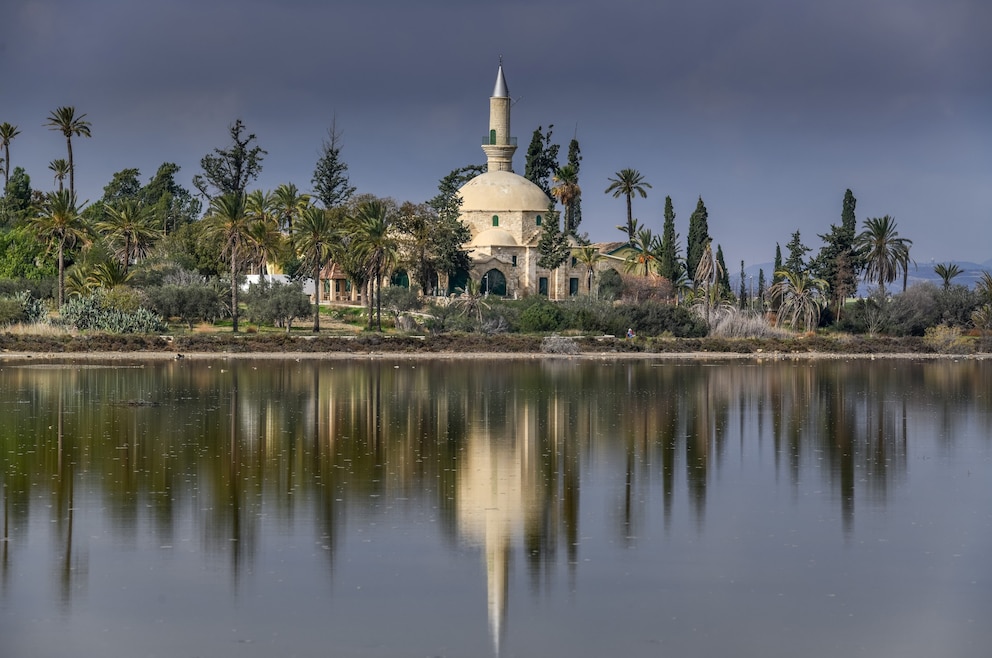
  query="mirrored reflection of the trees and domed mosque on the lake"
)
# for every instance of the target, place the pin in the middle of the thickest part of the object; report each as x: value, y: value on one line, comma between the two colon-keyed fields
x: 224, y: 450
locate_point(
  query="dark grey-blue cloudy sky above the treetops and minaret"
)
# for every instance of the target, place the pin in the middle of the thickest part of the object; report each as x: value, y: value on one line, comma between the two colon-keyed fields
x: 769, y: 109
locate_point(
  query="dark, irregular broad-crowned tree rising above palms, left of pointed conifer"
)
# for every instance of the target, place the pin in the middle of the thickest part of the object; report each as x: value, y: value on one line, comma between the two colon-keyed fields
x: 230, y: 170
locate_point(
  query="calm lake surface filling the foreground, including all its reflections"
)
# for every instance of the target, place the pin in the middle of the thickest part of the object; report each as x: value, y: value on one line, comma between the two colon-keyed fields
x: 522, y: 508
